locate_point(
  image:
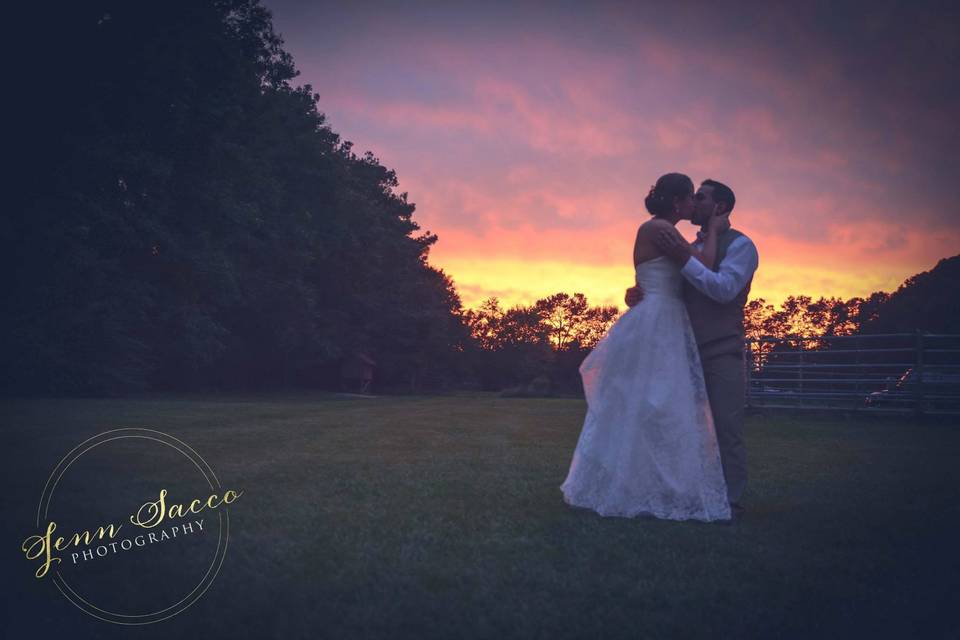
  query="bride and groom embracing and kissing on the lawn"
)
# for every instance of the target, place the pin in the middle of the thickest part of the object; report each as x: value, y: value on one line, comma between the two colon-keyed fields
x: 665, y: 386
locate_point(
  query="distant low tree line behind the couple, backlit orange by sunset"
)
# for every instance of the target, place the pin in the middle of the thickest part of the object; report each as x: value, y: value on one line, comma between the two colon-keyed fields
x: 549, y: 339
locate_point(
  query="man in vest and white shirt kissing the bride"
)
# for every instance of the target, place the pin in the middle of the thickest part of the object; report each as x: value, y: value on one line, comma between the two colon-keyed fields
x: 715, y: 300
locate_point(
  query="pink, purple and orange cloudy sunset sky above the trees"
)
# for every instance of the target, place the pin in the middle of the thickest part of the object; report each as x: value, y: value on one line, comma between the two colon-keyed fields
x: 528, y: 134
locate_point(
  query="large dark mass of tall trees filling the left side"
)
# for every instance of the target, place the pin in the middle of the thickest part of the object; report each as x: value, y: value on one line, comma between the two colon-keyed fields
x: 184, y: 218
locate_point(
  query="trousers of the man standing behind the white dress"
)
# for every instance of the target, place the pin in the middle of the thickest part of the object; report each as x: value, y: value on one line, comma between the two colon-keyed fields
x: 724, y: 376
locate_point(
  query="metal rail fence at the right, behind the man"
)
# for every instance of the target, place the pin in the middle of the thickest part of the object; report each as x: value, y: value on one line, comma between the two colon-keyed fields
x: 895, y: 373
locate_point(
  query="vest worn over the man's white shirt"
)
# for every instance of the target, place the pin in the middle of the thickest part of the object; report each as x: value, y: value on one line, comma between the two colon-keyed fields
x: 717, y: 327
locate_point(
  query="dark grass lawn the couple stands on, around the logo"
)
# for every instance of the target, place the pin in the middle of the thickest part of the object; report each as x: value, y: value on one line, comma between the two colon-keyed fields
x: 442, y: 517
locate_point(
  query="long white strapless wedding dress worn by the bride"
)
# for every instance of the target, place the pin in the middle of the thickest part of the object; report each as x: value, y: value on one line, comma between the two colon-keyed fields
x: 648, y: 444
